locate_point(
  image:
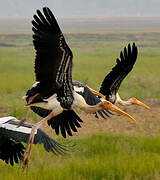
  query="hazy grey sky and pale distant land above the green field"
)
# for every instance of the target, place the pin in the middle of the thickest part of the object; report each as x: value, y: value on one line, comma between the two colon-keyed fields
x: 83, y: 15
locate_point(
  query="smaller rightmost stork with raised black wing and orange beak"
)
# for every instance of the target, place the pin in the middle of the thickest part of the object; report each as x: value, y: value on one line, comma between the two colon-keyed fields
x: 111, y: 83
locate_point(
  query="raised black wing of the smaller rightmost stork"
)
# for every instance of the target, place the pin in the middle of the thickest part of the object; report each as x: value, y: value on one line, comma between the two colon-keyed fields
x: 112, y: 81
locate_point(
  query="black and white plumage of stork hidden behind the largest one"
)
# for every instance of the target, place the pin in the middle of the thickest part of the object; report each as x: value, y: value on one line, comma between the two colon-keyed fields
x: 68, y: 121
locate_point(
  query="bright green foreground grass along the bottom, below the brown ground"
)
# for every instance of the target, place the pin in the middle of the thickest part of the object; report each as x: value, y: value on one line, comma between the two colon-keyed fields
x: 100, y: 156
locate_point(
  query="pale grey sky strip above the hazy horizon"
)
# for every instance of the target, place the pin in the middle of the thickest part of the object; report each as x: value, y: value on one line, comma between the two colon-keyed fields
x: 81, y: 8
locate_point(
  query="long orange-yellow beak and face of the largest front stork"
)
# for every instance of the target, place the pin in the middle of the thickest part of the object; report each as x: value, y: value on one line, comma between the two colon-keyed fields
x: 116, y: 109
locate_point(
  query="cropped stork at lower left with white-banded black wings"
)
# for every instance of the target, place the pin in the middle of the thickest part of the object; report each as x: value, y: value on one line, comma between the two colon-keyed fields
x: 11, y: 148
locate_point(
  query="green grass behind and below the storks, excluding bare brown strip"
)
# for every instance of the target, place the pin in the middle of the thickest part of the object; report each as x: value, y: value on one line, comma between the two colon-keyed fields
x: 99, y: 156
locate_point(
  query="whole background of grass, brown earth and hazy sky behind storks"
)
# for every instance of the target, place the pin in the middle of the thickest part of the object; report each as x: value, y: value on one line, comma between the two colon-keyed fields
x: 96, y: 31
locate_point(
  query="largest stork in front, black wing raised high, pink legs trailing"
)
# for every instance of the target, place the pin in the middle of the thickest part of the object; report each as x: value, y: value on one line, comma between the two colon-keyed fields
x: 53, y: 70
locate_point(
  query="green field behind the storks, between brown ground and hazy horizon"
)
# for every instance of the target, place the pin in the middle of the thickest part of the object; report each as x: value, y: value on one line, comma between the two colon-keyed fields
x: 94, y: 56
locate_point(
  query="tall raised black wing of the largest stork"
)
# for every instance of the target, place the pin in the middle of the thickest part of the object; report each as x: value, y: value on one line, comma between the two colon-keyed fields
x: 53, y: 56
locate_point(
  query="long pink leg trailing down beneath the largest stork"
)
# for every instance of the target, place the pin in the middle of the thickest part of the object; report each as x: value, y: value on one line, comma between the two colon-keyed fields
x: 27, y: 152
